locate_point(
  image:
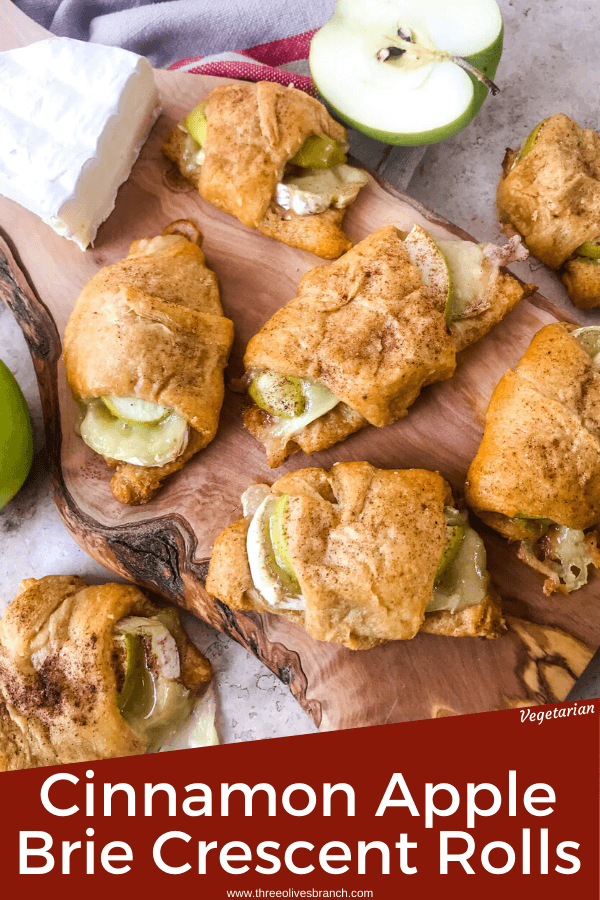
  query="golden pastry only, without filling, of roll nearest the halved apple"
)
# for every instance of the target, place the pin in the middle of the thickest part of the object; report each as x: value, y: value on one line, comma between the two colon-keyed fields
x: 252, y: 132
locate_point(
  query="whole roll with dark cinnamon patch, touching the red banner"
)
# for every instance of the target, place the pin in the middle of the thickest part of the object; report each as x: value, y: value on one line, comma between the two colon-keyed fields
x: 91, y: 673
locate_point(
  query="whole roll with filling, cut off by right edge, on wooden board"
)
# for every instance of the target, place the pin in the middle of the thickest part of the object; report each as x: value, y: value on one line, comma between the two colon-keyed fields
x: 536, y: 475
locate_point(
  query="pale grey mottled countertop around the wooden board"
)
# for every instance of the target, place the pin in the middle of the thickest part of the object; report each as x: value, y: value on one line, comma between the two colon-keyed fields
x: 549, y: 65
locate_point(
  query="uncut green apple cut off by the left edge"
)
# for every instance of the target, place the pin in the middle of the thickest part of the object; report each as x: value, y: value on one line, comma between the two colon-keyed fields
x: 16, y: 443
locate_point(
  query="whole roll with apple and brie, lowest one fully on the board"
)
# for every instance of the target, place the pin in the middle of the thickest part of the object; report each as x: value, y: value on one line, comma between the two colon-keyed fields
x: 358, y: 556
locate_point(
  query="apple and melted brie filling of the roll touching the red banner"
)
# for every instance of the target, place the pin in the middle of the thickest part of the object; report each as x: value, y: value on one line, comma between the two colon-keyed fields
x: 151, y: 695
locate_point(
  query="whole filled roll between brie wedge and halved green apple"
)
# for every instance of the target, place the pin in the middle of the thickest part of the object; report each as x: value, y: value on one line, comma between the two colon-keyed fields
x: 274, y: 158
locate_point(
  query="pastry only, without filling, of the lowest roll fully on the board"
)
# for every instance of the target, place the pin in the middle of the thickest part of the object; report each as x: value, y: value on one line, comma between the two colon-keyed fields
x: 365, y: 544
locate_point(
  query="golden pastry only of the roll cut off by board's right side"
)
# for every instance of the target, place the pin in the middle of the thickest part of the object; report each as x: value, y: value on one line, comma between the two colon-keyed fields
x: 540, y: 453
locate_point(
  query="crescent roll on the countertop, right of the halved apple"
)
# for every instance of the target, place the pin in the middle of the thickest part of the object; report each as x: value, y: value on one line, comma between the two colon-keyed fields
x: 549, y: 193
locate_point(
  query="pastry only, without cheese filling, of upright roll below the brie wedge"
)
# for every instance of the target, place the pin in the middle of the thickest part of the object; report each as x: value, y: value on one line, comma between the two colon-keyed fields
x: 152, y: 327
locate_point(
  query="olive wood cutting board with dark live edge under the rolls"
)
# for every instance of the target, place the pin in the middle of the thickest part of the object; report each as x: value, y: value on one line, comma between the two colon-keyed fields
x: 166, y: 545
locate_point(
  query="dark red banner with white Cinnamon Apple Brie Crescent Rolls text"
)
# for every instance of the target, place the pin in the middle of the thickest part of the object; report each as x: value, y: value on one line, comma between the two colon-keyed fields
x: 498, y: 802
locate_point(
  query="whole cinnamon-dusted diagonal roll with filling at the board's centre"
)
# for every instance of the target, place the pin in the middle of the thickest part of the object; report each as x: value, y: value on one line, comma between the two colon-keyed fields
x: 365, y: 334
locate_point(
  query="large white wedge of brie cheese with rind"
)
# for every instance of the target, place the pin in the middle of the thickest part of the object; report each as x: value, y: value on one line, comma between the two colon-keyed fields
x: 73, y: 118
